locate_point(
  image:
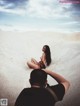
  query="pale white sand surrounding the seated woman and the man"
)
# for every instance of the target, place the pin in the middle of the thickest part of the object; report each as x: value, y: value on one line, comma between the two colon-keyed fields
x: 16, y: 48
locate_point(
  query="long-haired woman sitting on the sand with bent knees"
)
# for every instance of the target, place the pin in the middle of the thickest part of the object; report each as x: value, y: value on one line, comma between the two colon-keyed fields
x: 45, y: 59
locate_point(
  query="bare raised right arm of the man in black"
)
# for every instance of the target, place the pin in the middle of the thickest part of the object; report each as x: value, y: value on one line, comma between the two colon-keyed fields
x: 58, y: 78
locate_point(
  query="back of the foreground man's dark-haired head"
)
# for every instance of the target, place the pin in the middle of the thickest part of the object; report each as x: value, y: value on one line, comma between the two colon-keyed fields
x: 38, y: 77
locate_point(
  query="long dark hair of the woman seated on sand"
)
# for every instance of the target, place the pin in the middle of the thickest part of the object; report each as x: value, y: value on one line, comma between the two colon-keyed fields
x: 48, y: 54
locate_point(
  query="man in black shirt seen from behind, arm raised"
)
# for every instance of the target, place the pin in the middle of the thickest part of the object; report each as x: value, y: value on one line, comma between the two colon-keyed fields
x: 40, y: 93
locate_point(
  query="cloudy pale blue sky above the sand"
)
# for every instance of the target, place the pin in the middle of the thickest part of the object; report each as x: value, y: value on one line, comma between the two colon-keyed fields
x: 52, y: 15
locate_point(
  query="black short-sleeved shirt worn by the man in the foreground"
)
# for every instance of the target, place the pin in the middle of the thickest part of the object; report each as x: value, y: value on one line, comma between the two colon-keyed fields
x: 39, y: 96
